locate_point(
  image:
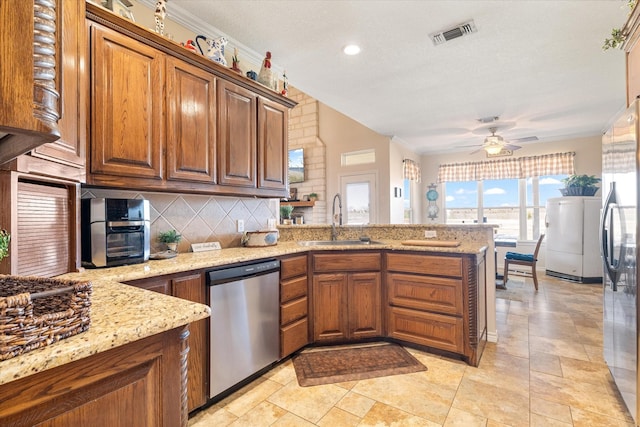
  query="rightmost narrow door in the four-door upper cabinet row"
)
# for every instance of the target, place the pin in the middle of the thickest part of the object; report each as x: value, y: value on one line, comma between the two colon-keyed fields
x: 273, y: 120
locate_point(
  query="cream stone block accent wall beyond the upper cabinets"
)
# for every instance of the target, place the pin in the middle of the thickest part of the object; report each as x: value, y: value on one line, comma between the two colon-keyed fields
x: 303, y: 133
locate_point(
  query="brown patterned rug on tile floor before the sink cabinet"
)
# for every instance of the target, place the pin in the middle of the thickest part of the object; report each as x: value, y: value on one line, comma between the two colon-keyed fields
x: 329, y: 365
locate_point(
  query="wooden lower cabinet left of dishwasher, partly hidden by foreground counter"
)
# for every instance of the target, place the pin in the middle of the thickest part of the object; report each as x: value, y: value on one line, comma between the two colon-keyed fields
x: 191, y: 287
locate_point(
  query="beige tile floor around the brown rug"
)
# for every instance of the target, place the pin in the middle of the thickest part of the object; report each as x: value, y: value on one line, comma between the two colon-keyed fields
x: 546, y: 370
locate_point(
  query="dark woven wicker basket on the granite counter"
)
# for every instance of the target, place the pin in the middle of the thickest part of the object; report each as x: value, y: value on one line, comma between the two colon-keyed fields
x: 36, y: 312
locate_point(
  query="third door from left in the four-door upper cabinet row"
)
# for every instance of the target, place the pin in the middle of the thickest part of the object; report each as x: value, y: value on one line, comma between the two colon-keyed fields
x: 236, y: 135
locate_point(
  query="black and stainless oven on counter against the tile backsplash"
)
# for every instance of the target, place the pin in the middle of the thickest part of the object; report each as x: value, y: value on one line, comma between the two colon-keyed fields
x: 115, y: 232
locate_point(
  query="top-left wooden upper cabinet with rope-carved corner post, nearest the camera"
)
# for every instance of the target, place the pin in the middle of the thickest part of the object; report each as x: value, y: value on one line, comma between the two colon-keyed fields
x: 30, y: 108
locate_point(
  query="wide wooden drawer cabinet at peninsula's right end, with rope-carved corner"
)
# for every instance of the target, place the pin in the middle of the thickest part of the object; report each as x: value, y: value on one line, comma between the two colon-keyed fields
x: 438, y: 301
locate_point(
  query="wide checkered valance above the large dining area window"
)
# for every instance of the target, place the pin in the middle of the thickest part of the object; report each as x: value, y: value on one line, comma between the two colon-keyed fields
x: 513, y: 168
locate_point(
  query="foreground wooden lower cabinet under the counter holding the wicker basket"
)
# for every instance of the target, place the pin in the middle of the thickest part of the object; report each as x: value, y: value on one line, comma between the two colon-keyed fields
x: 138, y: 384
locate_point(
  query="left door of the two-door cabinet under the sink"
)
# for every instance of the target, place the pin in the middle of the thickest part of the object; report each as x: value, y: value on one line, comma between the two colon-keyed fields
x: 330, y: 307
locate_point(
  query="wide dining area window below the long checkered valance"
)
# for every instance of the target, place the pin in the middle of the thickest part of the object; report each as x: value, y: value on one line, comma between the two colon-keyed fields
x: 516, y: 205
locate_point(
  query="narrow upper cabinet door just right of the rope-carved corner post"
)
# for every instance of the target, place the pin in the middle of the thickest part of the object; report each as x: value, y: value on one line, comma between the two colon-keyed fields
x: 71, y: 37
